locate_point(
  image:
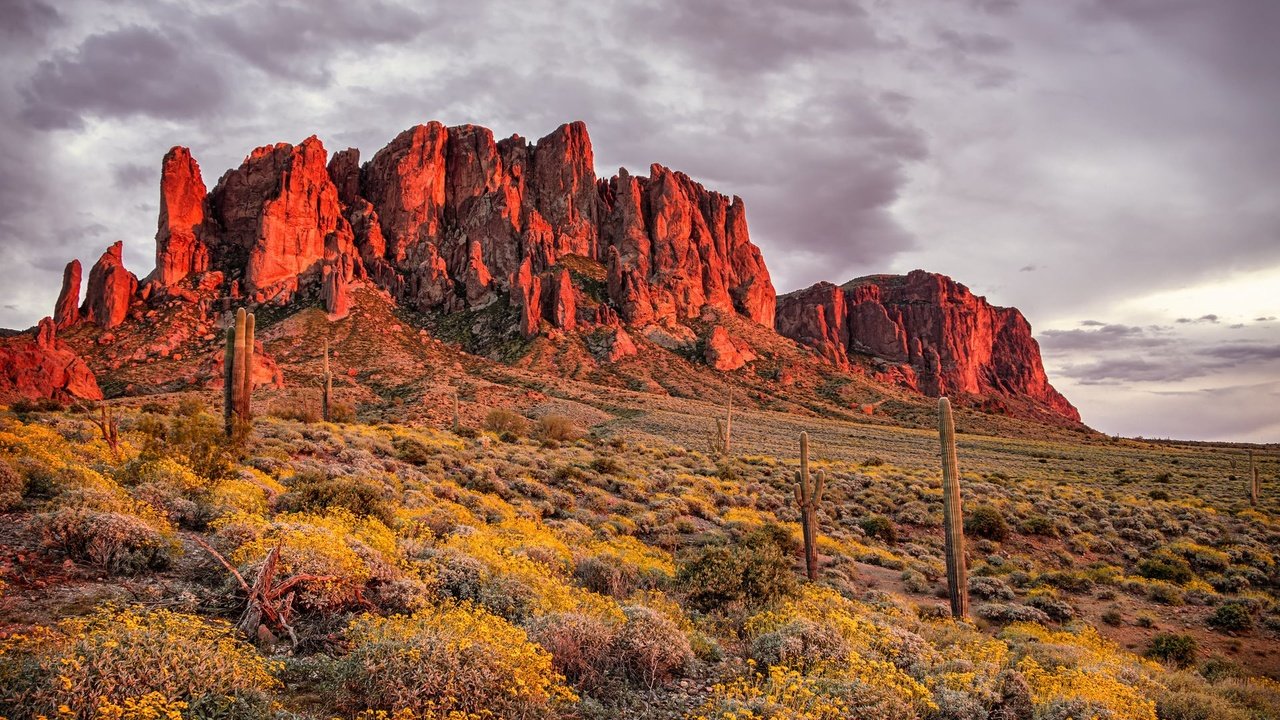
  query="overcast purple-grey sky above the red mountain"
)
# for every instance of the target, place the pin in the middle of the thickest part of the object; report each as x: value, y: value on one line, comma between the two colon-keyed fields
x: 1109, y: 167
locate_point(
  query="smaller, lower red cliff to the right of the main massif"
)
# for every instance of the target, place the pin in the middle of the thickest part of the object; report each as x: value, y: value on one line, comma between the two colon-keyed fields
x: 931, y: 334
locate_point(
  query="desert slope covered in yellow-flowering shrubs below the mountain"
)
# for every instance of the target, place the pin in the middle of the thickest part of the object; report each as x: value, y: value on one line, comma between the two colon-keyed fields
x: 560, y: 567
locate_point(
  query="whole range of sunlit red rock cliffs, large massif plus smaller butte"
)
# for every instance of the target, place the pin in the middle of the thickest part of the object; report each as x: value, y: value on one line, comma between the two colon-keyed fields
x: 528, y: 241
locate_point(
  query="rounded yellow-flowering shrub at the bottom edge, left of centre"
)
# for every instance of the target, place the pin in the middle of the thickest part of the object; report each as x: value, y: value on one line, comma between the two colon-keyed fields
x: 455, y: 659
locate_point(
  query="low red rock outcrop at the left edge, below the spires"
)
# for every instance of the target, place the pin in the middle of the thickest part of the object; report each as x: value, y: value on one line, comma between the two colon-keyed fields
x: 39, y: 366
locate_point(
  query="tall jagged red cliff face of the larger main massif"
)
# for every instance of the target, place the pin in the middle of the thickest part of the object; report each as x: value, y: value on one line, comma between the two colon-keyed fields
x: 450, y: 220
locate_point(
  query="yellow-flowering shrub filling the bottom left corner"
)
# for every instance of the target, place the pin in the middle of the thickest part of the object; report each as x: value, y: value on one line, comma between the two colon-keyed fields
x: 97, y: 664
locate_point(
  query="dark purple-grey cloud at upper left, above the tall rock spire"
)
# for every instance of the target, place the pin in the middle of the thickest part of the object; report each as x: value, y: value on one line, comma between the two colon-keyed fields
x: 125, y: 74
